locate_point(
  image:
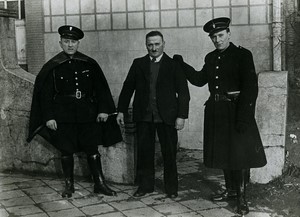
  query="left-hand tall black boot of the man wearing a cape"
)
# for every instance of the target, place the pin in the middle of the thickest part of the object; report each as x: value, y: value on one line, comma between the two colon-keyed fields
x: 67, y: 163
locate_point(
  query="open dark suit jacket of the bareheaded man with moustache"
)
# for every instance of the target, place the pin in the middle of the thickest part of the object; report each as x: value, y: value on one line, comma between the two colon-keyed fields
x: 172, y: 92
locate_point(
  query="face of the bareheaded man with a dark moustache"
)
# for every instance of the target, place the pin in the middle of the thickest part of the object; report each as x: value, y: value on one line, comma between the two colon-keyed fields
x: 155, y: 45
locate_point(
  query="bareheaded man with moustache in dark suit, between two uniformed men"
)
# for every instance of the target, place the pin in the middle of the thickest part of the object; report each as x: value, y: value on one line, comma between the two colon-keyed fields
x: 161, y: 105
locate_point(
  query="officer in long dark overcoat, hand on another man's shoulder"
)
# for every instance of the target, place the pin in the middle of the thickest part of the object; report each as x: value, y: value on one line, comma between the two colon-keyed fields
x: 231, y: 138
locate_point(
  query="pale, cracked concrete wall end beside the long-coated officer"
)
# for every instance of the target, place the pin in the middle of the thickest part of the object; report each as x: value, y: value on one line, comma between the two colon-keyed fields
x: 271, y: 110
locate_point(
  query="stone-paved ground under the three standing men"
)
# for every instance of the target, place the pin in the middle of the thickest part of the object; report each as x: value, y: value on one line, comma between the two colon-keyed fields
x: 38, y: 196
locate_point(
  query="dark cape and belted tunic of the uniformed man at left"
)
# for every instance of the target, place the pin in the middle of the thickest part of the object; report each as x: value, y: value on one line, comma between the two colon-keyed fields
x: 54, y: 97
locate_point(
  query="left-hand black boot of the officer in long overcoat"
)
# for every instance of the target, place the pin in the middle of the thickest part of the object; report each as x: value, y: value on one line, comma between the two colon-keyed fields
x: 229, y: 193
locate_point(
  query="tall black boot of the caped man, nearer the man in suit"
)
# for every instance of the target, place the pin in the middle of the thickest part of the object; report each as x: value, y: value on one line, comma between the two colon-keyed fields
x: 100, y: 186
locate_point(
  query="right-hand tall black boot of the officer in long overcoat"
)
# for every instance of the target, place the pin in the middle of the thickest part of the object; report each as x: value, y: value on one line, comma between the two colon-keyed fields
x: 242, y: 177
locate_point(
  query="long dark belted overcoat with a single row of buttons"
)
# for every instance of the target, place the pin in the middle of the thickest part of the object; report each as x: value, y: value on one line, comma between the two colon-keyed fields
x: 231, y: 137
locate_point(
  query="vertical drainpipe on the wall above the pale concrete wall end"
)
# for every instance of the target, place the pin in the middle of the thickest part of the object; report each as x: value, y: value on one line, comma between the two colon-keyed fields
x: 277, y: 29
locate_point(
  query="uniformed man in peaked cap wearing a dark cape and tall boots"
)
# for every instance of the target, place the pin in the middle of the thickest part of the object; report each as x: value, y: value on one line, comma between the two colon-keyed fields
x: 70, y: 96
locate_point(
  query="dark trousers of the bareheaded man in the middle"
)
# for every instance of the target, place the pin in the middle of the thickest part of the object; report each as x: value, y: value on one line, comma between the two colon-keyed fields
x: 168, y: 139
